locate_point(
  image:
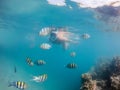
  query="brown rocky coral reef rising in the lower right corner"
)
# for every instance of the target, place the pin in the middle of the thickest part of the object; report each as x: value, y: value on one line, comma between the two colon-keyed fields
x: 104, y: 76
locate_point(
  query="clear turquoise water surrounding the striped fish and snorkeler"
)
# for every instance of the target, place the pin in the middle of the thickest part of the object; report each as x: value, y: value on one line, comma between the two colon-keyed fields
x: 20, y: 24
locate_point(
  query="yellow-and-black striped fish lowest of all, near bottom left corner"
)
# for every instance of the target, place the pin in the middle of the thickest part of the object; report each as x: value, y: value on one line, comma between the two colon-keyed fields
x: 18, y: 84
